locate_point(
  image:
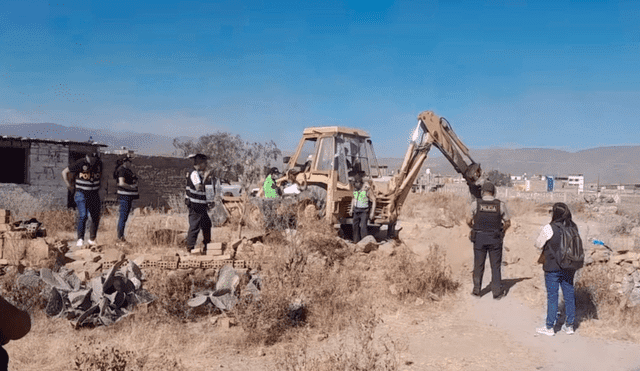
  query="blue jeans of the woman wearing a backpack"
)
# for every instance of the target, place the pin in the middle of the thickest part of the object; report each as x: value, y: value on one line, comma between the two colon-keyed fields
x: 553, y: 280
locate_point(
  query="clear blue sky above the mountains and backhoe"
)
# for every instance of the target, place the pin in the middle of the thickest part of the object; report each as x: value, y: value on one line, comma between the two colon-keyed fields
x: 560, y: 74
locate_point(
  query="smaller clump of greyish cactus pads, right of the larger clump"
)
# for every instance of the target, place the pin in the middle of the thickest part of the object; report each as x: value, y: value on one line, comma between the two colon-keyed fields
x: 224, y: 296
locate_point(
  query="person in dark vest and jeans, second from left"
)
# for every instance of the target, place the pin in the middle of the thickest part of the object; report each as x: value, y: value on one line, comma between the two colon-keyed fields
x: 127, y: 192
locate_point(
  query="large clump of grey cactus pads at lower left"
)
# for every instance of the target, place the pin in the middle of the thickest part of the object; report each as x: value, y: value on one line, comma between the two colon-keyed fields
x: 103, y: 300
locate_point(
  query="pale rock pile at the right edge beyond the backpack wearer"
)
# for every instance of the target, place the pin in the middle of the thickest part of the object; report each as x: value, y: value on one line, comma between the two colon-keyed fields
x: 622, y: 254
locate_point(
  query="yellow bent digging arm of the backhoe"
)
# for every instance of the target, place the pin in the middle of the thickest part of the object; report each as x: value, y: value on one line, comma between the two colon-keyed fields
x: 431, y: 130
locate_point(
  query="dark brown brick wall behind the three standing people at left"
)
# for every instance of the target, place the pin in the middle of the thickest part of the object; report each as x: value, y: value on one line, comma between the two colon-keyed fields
x: 160, y: 179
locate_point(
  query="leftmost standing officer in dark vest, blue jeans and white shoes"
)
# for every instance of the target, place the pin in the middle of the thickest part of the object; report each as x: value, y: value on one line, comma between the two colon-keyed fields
x: 84, y: 178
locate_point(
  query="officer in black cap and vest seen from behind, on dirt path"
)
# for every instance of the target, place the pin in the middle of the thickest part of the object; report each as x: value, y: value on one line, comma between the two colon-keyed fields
x: 489, y: 220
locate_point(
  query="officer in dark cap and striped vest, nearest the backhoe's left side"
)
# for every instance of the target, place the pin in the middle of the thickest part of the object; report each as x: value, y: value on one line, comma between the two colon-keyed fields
x: 196, y: 200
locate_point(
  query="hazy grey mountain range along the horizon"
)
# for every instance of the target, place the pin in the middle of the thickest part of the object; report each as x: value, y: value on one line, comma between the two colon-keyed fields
x: 617, y: 164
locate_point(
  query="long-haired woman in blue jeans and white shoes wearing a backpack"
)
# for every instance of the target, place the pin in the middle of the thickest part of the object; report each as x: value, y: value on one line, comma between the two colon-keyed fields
x: 554, y: 275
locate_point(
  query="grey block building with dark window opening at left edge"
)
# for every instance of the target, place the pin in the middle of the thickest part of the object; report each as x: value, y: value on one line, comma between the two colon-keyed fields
x: 35, y: 165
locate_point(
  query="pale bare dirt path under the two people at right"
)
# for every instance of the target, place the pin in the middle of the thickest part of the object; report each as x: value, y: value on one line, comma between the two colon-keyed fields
x: 468, y: 333
